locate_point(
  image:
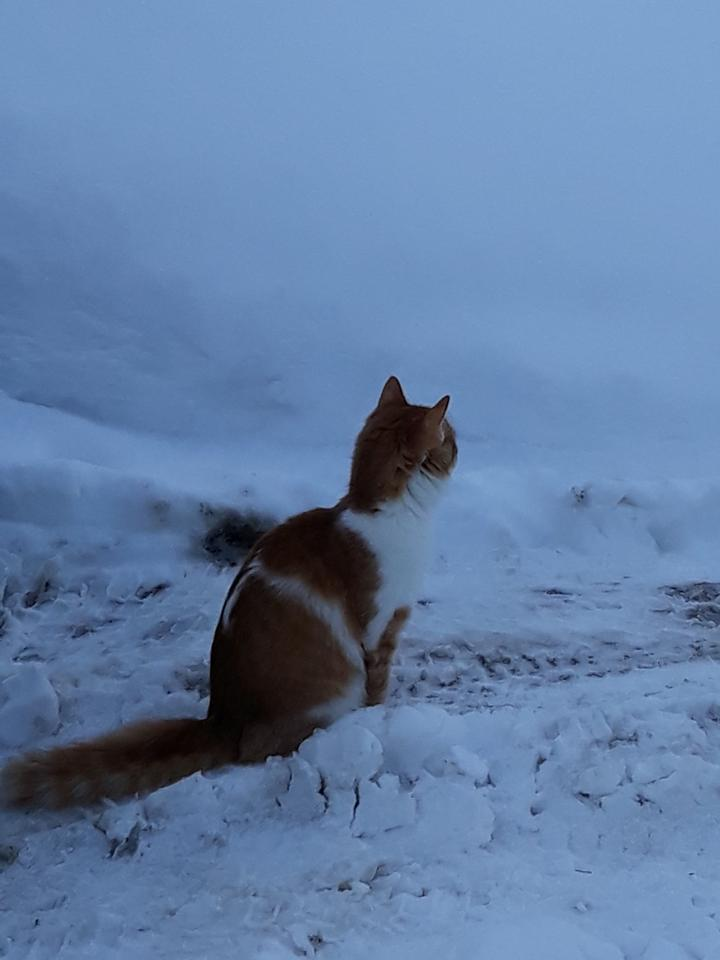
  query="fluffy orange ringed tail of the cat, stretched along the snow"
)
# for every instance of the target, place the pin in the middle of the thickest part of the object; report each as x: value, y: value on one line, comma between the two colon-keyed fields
x: 135, y: 759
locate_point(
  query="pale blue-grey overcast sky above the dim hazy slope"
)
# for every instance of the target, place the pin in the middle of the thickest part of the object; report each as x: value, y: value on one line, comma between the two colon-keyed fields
x: 541, y: 177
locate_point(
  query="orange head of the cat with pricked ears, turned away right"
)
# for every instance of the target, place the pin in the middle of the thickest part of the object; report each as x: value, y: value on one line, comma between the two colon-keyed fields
x: 401, y: 445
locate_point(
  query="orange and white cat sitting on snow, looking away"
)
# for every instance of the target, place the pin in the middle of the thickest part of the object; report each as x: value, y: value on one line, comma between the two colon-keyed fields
x: 307, y: 631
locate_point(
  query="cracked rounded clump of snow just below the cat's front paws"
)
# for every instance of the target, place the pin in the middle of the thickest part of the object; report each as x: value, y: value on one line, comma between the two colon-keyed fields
x: 374, y: 772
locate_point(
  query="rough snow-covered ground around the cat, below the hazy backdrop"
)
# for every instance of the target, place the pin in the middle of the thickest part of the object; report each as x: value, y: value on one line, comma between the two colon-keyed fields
x: 545, y: 781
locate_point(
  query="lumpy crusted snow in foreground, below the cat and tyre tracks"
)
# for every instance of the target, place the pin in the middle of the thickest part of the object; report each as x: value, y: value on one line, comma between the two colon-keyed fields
x: 522, y: 831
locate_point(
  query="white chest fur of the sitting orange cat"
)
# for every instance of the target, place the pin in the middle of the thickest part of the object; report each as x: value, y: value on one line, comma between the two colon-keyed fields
x: 399, y: 536
